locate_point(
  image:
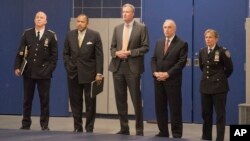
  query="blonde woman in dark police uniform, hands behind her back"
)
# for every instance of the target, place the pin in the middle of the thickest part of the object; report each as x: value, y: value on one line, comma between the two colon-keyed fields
x: 216, y: 66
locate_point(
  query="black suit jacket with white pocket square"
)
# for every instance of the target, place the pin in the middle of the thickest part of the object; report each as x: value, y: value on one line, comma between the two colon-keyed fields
x: 84, y: 62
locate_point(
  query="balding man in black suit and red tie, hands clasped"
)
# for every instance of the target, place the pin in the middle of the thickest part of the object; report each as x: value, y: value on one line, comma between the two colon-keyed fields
x: 167, y: 63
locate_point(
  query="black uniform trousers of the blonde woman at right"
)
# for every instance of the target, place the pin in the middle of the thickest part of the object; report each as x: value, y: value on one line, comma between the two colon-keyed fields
x: 218, y: 102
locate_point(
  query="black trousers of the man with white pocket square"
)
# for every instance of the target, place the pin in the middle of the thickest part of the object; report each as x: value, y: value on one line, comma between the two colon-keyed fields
x: 76, y: 102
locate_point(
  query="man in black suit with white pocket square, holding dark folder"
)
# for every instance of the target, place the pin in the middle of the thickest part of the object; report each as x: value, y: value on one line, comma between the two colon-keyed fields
x: 83, y: 60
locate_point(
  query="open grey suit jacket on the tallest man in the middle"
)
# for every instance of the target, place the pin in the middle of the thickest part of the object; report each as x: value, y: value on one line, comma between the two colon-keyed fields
x: 138, y: 45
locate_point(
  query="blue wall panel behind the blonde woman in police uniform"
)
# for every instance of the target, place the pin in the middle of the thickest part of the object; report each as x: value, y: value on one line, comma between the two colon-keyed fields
x: 228, y: 18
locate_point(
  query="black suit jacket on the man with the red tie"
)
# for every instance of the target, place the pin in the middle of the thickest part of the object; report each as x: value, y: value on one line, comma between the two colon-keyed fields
x: 172, y: 62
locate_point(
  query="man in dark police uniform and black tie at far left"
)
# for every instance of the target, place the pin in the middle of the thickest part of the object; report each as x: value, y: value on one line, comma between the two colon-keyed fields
x: 39, y: 46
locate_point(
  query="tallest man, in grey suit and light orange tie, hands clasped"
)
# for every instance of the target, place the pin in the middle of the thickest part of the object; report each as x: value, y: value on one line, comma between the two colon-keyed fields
x: 129, y: 44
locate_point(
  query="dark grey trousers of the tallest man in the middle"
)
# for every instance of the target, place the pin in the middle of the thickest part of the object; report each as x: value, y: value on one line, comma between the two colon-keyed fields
x: 124, y: 79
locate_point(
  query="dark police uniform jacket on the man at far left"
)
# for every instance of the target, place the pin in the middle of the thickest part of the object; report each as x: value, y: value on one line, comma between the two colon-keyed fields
x: 42, y: 54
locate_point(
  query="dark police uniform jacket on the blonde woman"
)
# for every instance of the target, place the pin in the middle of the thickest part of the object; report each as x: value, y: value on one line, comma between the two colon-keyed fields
x: 216, y: 67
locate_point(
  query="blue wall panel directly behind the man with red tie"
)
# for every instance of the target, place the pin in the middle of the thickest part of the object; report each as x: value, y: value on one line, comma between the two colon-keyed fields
x: 154, y: 14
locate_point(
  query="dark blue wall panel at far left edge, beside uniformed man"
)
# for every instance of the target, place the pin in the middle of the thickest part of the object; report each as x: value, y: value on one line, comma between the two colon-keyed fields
x: 11, y: 29
